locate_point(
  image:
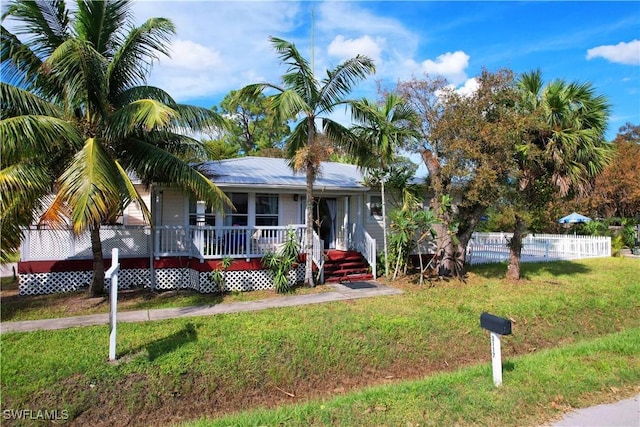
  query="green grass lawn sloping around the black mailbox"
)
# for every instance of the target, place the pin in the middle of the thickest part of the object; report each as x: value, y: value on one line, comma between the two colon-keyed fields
x: 576, y: 331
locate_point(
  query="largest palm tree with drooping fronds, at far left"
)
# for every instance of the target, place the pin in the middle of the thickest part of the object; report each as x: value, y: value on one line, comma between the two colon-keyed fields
x: 89, y: 67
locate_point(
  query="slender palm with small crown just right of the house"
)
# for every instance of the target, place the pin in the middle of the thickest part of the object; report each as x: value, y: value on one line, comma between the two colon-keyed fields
x: 380, y: 130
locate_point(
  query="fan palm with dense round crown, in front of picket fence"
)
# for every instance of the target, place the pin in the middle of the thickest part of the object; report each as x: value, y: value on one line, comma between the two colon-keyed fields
x: 563, y: 148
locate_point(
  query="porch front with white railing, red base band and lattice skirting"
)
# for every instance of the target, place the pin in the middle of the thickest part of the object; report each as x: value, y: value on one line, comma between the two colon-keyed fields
x: 171, y: 257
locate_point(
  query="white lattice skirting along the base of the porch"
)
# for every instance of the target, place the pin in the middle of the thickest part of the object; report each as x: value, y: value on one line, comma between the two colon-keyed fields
x: 165, y: 279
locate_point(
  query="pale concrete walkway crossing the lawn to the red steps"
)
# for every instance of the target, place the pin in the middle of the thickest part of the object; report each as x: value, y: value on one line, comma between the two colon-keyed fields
x: 341, y: 292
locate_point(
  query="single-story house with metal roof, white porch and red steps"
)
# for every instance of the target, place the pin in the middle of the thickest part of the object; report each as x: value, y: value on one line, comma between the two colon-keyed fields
x: 189, y: 240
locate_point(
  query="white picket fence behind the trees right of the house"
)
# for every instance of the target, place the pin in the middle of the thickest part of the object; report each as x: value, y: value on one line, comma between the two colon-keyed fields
x: 484, y: 248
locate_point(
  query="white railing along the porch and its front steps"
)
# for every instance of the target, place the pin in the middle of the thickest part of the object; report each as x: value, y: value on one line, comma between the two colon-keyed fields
x: 203, y: 242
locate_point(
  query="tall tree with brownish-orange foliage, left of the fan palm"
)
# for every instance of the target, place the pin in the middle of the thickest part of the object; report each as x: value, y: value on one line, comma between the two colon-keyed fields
x: 466, y: 143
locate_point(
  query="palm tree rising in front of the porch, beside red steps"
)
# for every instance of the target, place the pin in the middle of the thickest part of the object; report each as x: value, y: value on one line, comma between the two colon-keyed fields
x: 302, y: 96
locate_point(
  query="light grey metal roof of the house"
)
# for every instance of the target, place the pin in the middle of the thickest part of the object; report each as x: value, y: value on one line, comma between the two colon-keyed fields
x: 272, y: 172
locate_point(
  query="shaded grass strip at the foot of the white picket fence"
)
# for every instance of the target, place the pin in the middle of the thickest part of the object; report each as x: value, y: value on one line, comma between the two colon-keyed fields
x: 528, y: 270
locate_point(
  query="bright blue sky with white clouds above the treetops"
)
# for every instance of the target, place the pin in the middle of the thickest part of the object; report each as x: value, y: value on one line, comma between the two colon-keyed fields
x: 221, y: 46
